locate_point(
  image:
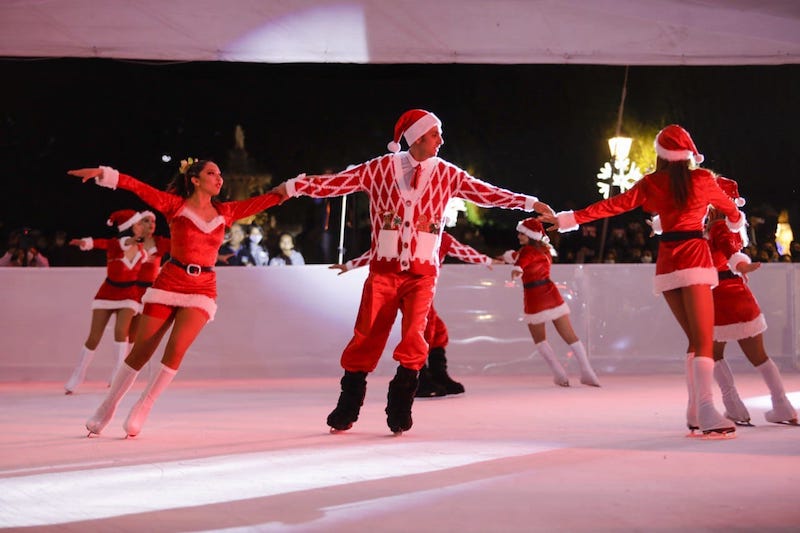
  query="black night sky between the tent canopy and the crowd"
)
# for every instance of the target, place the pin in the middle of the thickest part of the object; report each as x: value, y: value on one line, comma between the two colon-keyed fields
x: 537, y: 129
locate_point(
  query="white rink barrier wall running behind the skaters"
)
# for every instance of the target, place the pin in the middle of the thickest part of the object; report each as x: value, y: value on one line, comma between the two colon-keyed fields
x: 295, y: 321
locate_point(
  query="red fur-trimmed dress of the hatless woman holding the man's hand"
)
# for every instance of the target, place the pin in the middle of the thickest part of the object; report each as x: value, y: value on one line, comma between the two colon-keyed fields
x: 194, y: 241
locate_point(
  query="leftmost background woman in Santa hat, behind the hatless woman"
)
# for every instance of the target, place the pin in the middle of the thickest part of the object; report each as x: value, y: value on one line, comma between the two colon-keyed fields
x: 118, y: 294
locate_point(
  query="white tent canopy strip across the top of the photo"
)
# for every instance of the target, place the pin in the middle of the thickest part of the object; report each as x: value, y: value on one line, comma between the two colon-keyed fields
x: 609, y: 32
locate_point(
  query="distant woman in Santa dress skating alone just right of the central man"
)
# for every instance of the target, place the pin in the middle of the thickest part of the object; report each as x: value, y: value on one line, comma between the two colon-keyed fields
x: 544, y: 303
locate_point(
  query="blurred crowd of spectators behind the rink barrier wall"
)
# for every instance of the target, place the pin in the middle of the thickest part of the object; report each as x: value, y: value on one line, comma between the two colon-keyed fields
x: 626, y: 241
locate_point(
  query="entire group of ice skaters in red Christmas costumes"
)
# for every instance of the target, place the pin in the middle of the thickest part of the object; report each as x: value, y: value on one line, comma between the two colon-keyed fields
x: 409, y: 193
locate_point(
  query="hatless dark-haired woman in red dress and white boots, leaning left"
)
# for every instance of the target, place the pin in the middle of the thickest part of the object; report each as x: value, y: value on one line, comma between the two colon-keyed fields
x: 184, y: 293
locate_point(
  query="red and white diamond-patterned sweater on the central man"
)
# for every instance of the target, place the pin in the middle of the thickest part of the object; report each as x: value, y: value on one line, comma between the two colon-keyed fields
x: 407, y: 223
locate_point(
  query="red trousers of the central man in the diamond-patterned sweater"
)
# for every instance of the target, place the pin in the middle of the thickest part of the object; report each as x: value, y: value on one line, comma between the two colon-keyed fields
x: 383, y: 296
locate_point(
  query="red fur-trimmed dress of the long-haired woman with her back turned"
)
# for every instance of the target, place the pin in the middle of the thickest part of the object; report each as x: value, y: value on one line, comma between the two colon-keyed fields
x: 683, y: 262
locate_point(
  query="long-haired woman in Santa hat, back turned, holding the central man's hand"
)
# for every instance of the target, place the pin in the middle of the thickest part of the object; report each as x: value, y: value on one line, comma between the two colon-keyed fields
x: 685, y: 273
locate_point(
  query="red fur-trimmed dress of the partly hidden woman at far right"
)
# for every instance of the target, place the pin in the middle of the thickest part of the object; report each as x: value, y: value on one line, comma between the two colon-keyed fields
x: 736, y: 311
